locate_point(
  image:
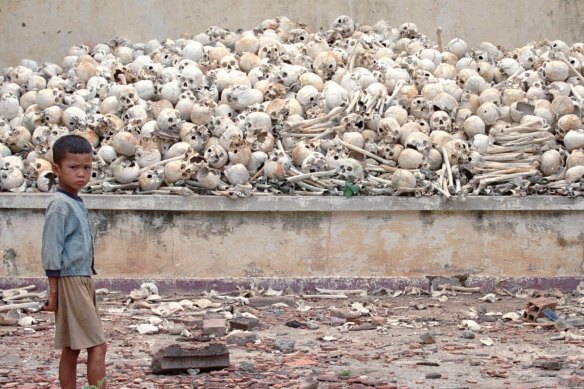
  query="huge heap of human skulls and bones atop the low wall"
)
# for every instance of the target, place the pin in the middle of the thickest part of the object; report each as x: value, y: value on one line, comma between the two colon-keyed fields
x: 355, y: 109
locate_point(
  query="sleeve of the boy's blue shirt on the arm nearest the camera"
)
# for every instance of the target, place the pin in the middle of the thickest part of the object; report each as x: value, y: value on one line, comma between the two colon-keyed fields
x: 53, y: 240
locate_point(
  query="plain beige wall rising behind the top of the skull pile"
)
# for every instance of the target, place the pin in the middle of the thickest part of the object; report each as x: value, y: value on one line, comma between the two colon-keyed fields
x: 43, y: 30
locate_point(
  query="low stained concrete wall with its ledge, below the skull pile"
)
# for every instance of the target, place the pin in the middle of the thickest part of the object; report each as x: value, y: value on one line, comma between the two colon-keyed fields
x: 295, y: 237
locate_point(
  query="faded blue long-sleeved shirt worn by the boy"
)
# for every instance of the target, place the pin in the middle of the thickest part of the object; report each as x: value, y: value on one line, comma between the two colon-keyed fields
x: 67, y: 248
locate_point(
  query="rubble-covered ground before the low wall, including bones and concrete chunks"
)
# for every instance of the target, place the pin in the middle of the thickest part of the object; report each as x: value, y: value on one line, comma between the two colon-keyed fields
x: 255, y: 338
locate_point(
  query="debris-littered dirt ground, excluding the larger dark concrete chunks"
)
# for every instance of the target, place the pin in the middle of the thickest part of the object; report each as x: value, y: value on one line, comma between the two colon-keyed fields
x: 388, y: 340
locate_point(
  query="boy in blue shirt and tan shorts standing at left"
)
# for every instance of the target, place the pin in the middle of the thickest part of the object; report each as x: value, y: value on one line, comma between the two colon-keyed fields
x: 67, y: 255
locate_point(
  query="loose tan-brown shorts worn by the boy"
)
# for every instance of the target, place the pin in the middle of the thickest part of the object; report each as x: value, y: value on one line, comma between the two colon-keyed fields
x: 77, y: 323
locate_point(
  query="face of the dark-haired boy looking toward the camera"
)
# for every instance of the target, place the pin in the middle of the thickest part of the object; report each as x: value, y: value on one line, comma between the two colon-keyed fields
x: 74, y: 172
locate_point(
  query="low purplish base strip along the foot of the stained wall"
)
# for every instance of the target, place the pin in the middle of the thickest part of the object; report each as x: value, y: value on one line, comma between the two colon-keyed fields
x: 304, y: 285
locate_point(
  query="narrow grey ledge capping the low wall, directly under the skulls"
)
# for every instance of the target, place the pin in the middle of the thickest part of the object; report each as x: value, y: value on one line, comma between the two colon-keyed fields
x: 300, y: 204
